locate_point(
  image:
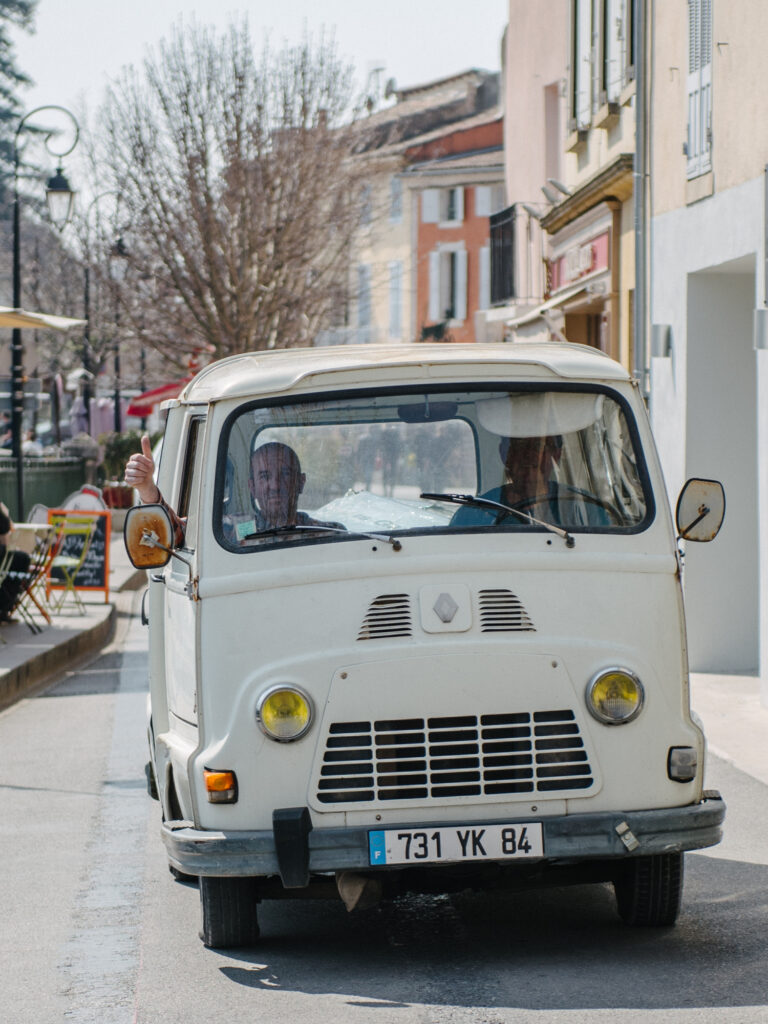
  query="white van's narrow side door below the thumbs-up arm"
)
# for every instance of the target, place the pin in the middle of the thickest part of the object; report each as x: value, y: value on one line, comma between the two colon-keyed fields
x: 182, y: 611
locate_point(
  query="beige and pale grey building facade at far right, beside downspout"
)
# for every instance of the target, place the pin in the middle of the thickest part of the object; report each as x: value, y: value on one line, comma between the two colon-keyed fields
x: 709, y: 306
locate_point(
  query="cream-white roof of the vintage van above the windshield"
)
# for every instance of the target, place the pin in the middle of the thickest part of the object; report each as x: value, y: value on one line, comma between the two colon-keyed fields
x: 285, y: 370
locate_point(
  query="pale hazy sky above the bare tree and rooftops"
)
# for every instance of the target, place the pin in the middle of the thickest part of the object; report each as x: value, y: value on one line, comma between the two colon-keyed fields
x: 80, y: 46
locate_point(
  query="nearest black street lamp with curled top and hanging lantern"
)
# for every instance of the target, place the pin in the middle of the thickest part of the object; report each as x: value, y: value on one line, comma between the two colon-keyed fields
x: 60, y: 197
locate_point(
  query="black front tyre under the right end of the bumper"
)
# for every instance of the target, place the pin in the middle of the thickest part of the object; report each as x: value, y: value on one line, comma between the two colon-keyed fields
x: 650, y: 891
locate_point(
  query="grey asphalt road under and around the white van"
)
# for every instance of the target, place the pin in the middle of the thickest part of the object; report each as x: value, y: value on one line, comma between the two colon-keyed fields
x: 96, y: 931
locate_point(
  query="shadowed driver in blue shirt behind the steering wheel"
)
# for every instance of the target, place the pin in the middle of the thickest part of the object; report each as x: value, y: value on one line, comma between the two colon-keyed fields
x: 531, y: 486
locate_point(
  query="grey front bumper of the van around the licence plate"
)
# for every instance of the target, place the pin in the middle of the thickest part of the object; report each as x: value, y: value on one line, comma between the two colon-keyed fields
x: 293, y: 850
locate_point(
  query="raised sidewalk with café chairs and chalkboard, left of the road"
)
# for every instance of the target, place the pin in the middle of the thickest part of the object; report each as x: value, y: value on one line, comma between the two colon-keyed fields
x: 28, y: 660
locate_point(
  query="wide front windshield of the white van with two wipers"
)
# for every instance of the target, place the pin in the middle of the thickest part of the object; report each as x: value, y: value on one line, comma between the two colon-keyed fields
x: 398, y: 462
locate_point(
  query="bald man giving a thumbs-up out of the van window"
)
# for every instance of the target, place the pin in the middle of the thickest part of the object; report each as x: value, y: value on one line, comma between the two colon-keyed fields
x: 276, y: 483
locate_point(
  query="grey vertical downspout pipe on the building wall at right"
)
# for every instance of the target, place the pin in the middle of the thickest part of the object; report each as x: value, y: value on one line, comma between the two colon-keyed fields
x: 641, y: 180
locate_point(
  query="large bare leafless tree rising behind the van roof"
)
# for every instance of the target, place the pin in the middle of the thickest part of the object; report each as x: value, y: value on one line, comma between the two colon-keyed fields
x: 242, y: 192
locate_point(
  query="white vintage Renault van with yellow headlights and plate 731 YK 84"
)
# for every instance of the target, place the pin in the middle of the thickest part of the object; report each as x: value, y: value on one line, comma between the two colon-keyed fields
x: 430, y: 679
